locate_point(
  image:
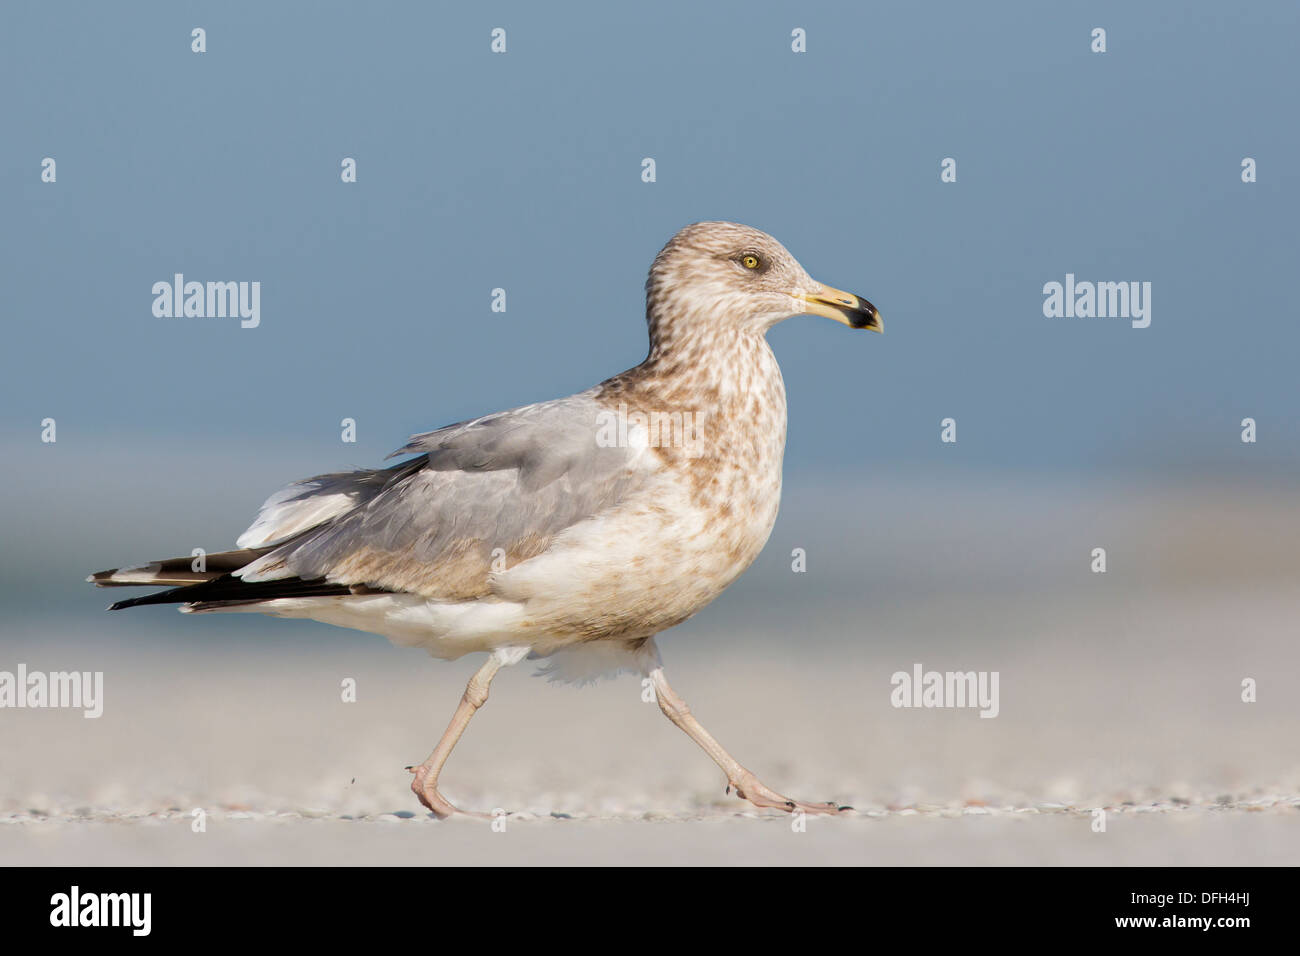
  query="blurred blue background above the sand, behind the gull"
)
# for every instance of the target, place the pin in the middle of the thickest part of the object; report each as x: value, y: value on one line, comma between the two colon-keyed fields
x: 523, y: 171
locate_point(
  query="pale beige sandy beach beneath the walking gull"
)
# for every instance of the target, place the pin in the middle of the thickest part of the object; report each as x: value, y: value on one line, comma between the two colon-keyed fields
x: 249, y: 726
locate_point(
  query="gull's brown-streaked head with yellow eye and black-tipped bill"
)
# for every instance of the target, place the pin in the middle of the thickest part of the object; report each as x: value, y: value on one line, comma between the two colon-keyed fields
x: 717, y: 275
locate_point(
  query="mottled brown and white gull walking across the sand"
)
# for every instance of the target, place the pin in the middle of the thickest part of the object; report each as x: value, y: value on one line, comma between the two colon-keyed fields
x: 571, y: 531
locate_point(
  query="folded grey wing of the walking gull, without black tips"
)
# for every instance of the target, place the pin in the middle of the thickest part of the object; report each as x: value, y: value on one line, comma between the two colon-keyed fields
x: 484, y: 495
